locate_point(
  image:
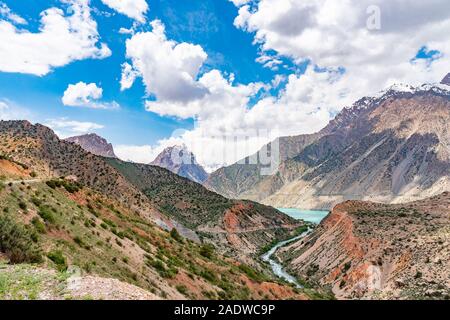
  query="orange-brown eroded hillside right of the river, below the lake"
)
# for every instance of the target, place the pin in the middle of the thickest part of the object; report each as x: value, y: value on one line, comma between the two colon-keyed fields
x: 379, y: 251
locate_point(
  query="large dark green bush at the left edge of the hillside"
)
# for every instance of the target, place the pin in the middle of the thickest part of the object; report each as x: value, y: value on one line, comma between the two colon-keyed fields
x: 18, y: 242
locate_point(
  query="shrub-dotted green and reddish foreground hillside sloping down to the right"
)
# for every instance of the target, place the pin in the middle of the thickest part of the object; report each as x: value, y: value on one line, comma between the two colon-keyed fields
x: 56, y: 224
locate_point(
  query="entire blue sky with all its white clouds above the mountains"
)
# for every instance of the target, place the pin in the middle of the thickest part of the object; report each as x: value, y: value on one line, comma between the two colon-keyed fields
x: 135, y: 71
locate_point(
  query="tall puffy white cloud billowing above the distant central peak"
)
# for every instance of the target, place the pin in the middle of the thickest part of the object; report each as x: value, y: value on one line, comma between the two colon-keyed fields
x: 168, y: 69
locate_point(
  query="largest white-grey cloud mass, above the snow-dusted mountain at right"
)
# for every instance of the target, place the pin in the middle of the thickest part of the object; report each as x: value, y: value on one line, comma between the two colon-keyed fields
x: 345, y: 35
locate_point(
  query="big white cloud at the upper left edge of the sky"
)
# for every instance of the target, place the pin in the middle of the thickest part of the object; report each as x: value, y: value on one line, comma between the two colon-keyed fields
x: 61, y: 40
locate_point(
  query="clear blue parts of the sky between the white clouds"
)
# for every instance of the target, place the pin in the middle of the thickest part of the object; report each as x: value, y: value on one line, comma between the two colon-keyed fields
x: 207, y: 23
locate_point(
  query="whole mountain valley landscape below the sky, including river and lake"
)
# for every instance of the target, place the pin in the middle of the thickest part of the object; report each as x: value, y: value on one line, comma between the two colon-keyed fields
x: 78, y: 223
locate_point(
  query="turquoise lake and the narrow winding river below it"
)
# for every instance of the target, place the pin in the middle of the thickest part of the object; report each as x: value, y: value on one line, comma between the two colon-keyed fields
x: 306, y: 215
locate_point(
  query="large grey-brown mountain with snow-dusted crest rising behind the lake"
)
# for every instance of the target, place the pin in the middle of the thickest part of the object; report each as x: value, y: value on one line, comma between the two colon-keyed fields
x: 393, y: 147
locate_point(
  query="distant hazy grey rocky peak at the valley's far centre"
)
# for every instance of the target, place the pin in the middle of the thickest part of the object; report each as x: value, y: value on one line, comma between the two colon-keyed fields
x: 181, y: 161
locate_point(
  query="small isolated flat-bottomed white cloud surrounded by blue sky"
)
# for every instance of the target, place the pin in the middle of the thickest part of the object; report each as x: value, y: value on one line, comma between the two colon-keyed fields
x: 86, y: 95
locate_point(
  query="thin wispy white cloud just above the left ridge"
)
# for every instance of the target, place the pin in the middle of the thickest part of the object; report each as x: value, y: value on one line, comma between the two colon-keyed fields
x: 65, y: 128
